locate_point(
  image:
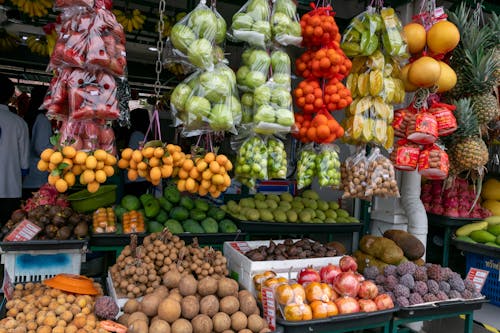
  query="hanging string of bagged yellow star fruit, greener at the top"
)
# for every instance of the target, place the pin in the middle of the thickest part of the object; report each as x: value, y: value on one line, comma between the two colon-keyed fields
x: 375, y: 41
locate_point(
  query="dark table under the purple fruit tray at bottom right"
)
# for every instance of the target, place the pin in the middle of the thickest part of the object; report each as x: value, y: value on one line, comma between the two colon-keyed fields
x: 437, y: 311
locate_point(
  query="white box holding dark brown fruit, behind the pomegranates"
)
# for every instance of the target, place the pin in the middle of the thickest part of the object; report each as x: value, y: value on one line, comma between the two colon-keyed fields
x: 242, y: 269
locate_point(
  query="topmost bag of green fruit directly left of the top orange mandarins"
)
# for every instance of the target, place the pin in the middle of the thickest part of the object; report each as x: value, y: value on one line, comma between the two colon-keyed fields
x: 285, y: 26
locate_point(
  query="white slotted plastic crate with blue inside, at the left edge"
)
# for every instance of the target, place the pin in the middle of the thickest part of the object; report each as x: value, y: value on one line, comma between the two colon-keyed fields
x: 34, y: 266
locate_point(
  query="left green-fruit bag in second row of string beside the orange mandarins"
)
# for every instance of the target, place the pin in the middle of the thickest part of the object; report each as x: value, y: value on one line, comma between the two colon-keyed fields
x: 254, y: 69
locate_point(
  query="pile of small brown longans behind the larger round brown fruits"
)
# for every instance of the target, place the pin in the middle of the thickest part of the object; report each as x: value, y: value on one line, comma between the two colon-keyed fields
x: 163, y: 257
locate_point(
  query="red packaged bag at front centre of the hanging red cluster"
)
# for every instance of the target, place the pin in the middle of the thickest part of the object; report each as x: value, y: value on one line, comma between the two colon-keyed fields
x: 423, y: 129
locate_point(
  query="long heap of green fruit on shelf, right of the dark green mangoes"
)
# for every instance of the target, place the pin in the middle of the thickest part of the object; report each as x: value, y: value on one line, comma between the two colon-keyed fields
x: 306, y: 208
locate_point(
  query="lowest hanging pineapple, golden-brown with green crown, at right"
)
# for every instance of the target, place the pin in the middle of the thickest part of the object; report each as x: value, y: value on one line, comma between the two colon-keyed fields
x: 466, y: 150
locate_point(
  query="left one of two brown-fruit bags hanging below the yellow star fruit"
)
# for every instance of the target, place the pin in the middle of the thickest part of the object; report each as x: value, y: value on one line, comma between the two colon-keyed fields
x: 354, y: 173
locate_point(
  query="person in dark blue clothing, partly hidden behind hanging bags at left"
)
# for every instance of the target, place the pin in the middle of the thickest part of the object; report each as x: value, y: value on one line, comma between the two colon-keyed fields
x: 40, y: 130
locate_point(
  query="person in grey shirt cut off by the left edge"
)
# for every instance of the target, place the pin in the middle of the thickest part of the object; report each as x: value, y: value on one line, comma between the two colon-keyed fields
x: 14, y: 152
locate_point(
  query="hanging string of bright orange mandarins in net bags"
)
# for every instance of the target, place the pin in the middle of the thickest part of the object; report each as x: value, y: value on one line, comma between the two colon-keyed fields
x: 322, y: 66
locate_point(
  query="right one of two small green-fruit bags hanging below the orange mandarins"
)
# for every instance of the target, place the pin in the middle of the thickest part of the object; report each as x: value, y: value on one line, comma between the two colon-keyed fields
x: 328, y: 166
